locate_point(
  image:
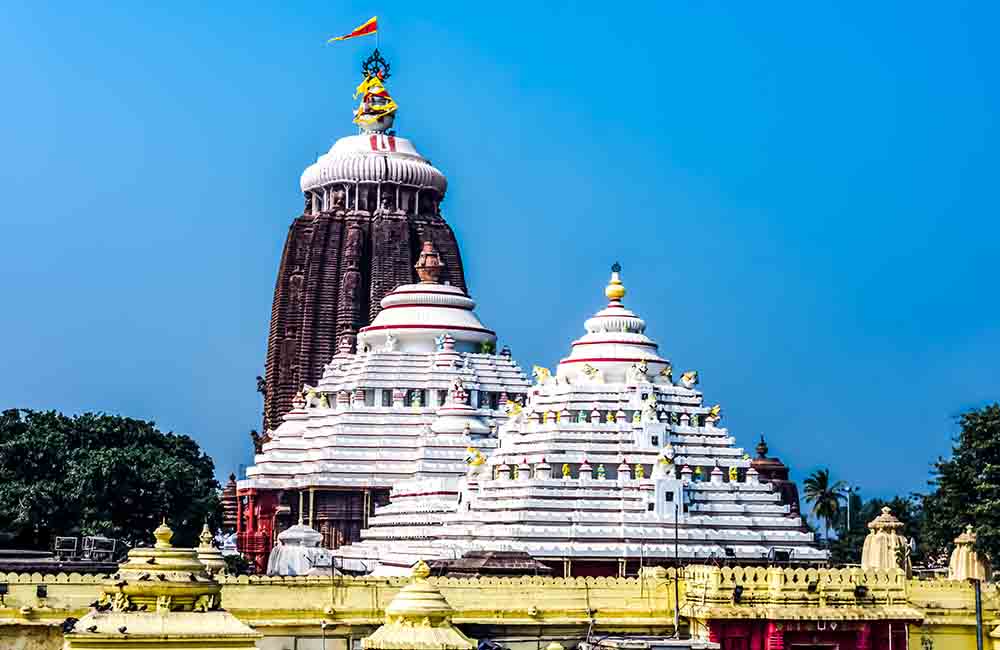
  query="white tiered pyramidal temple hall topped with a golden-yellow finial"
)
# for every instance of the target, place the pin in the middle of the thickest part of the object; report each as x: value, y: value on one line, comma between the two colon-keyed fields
x: 611, y: 465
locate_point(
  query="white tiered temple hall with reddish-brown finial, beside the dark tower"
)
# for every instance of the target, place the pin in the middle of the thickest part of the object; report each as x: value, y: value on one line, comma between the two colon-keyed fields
x: 418, y: 393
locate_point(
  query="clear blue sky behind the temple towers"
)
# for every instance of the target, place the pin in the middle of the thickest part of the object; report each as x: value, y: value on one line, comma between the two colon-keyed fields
x: 803, y: 196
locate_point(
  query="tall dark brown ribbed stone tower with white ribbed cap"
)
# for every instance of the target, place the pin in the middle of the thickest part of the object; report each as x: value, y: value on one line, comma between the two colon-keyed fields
x: 370, y: 203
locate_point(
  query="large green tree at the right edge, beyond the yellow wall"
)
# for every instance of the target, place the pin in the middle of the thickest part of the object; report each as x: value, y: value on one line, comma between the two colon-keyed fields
x: 966, y: 488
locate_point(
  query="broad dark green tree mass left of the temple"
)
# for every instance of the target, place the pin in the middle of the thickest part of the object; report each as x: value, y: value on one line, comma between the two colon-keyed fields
x: 96, y: 474
